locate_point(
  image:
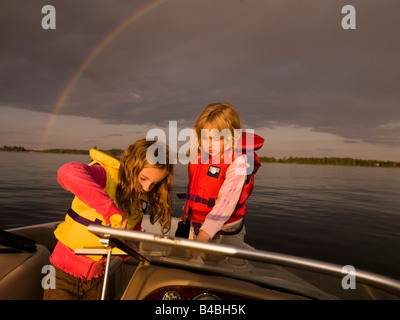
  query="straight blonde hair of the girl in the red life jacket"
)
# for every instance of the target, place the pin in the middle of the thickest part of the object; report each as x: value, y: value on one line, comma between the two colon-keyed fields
x: 221, y: 116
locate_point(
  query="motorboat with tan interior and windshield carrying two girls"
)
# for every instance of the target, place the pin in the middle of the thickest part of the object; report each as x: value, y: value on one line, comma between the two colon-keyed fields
x: 165, y: 267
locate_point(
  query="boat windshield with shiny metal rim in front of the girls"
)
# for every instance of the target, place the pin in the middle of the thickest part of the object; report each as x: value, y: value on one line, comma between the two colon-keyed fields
x: 308, y: 278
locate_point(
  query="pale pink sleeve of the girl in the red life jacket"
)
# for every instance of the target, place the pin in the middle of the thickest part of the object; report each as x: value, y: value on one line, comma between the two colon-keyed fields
x: 228, y: 198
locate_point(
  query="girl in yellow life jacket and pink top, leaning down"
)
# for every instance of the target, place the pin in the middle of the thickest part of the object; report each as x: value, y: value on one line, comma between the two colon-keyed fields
x: 105, y: 190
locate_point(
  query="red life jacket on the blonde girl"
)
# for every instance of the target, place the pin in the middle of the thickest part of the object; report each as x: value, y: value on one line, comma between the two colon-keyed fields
x: 206, y: 179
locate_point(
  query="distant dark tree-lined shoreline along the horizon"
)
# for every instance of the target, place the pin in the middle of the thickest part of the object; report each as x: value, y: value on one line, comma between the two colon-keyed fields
x: 332, y: 161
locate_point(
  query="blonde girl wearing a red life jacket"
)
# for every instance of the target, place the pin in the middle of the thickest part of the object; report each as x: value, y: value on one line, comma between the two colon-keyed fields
x: 219, y: 179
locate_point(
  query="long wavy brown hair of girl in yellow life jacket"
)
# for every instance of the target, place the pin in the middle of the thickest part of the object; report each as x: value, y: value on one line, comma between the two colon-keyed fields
x: 129, y: 190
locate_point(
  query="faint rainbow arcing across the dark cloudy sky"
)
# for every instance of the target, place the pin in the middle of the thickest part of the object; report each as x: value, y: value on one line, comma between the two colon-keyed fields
x: 137, y: 14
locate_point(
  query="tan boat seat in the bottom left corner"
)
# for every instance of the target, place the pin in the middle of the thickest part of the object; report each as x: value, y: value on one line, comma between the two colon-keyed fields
x: 20, y: 274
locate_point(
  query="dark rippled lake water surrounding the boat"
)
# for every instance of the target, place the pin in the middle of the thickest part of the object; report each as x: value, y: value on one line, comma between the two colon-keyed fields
x: 344, y: 215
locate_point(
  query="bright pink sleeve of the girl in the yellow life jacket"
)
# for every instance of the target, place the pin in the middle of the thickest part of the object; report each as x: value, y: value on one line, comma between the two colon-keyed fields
x: 87, y: 183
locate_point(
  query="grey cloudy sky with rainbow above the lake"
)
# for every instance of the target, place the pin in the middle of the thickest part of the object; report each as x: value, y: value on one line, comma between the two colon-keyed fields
x: 112, y: 70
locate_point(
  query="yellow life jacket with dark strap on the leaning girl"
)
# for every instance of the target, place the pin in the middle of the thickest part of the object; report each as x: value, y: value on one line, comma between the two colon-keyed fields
x: 74, y: 234
